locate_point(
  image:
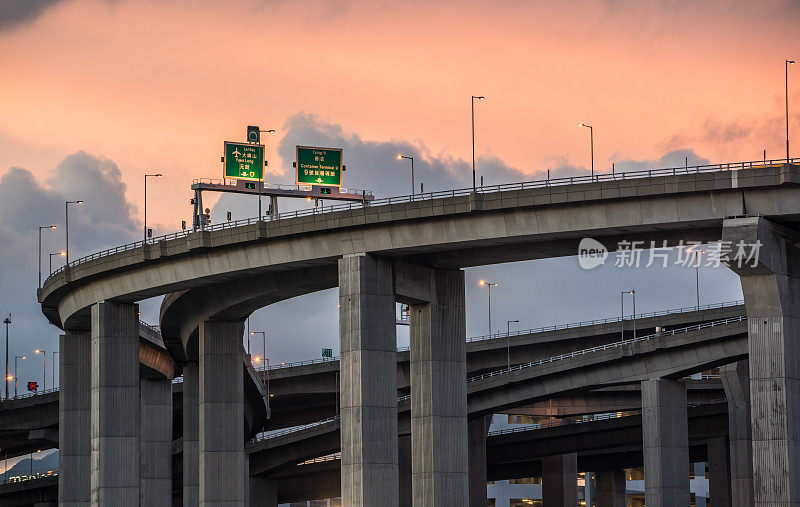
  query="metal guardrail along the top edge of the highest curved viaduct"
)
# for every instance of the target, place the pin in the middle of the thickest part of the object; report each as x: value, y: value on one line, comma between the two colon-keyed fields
x: 555, y: 182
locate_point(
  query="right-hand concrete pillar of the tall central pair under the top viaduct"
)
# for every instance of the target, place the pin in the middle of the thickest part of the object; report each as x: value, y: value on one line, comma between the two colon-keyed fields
x: 440, y: 470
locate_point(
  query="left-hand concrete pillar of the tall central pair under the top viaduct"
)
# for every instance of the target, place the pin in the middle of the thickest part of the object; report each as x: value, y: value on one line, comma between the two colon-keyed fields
x: 368, y: 392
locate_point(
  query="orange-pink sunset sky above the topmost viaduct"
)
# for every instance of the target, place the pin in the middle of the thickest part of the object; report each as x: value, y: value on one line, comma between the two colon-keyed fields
x: 136, y: 86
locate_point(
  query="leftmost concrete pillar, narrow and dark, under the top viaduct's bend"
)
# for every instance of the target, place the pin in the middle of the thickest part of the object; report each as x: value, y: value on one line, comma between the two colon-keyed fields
x: 74, y: 419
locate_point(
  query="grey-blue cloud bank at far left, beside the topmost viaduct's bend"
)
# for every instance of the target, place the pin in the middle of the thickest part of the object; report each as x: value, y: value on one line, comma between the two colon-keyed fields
x: 105, y: 220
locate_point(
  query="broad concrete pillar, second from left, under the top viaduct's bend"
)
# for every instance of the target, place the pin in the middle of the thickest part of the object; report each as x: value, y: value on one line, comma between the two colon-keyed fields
x: 115, y: 404
